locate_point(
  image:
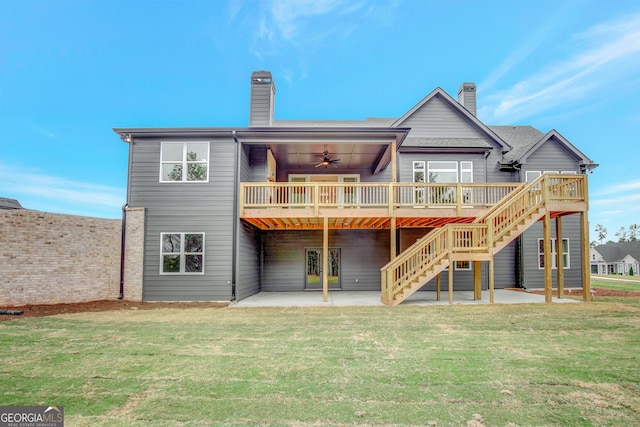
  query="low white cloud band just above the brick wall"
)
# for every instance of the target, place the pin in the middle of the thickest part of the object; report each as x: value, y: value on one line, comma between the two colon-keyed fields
x: 37, y: 190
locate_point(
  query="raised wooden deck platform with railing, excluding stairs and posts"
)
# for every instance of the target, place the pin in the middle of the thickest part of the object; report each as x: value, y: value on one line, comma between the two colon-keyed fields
x: 305, y: 206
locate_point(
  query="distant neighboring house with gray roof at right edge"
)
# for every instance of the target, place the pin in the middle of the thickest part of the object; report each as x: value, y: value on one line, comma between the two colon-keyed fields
x: 615, y: 258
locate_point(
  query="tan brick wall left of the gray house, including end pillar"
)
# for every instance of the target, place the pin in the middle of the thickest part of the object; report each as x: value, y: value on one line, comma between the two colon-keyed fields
x: 48, y: 258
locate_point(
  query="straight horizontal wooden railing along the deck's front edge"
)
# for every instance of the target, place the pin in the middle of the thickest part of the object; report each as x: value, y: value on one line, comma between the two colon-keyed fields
x: 372, y: 195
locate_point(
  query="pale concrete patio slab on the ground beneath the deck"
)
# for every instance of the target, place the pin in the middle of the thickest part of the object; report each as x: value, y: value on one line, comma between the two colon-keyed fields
x: 372, y: 298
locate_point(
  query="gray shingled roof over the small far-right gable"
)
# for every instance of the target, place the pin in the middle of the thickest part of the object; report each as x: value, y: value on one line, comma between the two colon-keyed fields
x: 525, y: 140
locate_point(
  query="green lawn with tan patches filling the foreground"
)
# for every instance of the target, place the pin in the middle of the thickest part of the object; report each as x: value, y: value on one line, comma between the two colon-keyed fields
x: 502, y: 365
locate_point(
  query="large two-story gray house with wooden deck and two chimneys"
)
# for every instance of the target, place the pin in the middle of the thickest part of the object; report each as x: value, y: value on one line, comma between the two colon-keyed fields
x: 393, y: 205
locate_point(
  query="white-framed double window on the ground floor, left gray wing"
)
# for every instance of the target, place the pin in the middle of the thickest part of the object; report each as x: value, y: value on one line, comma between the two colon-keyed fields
x: 182, y: 253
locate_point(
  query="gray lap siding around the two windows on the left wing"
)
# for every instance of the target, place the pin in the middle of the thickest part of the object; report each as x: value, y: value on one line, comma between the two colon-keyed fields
x: 186, y: 207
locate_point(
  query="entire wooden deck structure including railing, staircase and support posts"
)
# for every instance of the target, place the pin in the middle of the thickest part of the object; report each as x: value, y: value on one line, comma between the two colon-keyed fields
x: 469, y: 223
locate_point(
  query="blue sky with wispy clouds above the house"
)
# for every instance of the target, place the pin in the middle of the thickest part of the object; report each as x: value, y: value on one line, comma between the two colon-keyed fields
x: 70, y: 71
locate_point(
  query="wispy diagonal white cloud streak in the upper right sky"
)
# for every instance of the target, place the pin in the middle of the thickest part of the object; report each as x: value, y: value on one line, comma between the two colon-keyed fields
x: 604, y: 54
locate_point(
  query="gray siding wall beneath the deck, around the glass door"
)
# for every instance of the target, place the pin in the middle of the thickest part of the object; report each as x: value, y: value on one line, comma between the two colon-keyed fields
x: 363, y: 253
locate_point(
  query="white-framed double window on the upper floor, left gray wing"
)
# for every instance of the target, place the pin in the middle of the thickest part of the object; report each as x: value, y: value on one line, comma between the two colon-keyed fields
x: 184, y: 162
